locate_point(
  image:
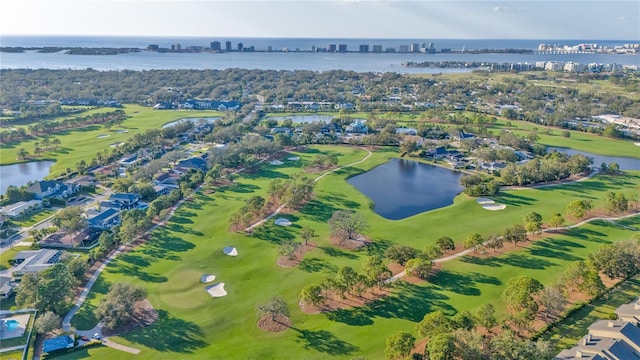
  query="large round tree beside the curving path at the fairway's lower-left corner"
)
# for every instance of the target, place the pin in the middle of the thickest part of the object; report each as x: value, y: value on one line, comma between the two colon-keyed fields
x: 117, y: 307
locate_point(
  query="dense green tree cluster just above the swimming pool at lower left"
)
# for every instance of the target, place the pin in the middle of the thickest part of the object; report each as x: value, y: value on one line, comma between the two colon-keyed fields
x: 51, y: 289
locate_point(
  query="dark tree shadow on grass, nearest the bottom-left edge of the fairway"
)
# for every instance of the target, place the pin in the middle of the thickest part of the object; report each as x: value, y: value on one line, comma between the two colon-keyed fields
x: 169, y: 334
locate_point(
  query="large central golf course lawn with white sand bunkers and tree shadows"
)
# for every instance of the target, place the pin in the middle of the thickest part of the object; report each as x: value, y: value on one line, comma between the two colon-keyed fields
x: 192, y: 324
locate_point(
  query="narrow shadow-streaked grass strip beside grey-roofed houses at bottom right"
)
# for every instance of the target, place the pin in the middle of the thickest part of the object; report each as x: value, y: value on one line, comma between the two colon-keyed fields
x: 571, y: 330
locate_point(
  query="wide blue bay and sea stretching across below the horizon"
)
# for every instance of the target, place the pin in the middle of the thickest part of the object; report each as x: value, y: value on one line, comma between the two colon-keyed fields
x: 319, y: 61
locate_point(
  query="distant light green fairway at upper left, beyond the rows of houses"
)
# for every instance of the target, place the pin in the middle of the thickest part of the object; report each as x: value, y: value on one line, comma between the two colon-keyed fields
x: 83, y: 144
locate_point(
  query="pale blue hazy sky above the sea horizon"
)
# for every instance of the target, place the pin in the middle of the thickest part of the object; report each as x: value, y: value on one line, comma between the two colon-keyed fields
x: 452, y: 19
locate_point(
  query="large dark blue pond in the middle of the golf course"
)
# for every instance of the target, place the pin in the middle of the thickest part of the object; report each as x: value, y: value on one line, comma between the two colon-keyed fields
x: 402, y: 188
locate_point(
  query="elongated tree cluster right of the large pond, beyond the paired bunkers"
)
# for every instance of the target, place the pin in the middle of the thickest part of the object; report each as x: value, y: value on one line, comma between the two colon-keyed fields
x: 553, y: 167
